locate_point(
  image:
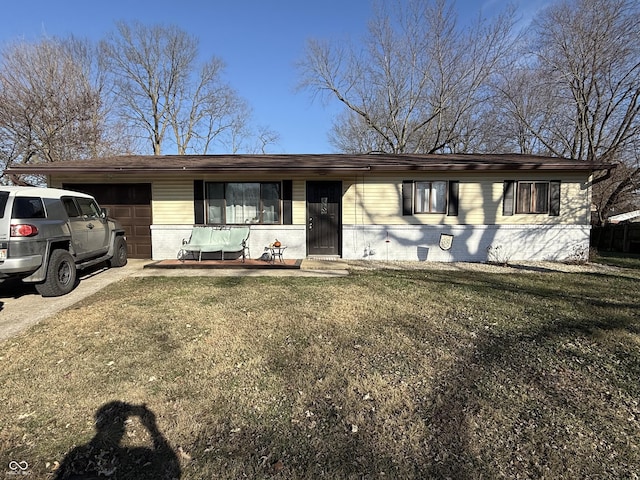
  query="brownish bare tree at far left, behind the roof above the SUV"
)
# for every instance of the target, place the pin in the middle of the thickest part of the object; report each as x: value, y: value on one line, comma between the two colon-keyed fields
x: 51, y: 104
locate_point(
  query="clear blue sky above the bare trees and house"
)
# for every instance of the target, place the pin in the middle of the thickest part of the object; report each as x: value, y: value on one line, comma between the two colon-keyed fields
x: 260, y: 41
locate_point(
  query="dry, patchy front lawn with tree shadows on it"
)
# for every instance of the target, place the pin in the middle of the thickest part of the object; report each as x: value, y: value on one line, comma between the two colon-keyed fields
x: 382, y: 374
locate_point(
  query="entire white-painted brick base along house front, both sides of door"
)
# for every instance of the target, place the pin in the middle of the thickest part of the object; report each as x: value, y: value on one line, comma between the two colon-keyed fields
x: 470, y: 243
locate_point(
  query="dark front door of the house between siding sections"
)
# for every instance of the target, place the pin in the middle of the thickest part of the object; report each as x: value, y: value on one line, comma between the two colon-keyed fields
x: 324, y: 225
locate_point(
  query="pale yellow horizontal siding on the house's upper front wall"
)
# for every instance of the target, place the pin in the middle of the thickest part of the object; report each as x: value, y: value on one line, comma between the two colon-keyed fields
x: 375, y: 200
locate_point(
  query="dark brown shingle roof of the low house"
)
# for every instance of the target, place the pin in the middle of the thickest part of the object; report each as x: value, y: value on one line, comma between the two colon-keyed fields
x: 321, y: 163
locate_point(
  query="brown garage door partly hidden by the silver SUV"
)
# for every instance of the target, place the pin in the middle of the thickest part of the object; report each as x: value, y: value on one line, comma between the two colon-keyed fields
x: 130, y: 204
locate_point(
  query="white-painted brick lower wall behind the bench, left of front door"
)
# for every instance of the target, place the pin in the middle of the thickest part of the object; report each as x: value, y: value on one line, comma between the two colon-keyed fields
x: 166, y: 240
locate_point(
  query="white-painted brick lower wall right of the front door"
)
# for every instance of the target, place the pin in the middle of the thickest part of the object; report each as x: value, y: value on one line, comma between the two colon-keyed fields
x: 470, y: 243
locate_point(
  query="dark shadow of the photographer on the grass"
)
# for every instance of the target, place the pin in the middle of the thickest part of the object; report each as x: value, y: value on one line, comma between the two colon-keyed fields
x: 105, y: 456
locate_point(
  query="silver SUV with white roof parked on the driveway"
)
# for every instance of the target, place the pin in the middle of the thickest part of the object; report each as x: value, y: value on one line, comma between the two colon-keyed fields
x: 47, y: 234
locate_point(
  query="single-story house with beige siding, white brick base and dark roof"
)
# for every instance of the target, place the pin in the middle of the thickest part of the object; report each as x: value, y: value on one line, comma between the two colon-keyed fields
x: 471, y: 208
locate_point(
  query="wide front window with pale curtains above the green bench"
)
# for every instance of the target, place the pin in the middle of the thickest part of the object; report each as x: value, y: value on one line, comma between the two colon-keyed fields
x: 242, y: 203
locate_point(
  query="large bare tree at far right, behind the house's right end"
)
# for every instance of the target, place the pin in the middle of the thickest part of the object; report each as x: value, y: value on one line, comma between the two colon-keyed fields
x: 577, y: 92
